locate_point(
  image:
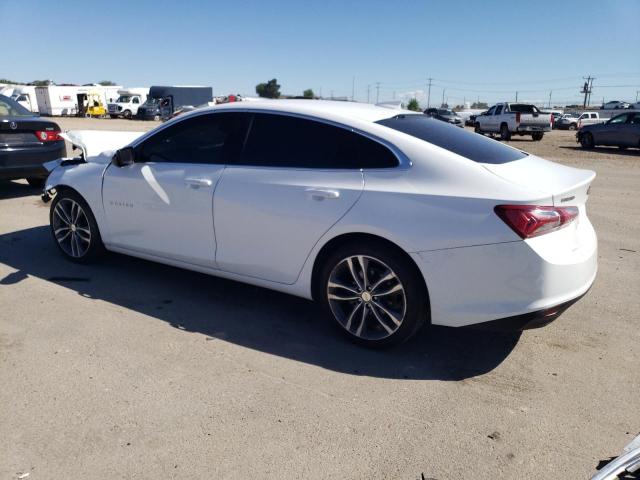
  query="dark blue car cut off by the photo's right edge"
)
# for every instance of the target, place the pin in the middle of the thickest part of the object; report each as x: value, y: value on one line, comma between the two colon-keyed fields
x: 621, y: 131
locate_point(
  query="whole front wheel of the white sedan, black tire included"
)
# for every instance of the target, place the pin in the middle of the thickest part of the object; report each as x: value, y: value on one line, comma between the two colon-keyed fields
x: 87, y: 251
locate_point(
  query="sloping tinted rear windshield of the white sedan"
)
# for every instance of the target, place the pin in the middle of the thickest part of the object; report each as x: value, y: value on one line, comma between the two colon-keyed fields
x: 455, y: 139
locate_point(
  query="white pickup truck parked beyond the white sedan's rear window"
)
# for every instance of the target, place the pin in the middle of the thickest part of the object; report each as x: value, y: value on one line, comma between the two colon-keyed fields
x: 514, y: 119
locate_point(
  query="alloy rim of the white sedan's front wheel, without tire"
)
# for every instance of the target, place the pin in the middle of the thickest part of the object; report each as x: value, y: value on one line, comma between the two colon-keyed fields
x: 71, y: 228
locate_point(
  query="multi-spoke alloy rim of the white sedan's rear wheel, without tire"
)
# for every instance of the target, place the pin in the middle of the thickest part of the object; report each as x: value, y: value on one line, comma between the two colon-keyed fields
x: 366, y: 297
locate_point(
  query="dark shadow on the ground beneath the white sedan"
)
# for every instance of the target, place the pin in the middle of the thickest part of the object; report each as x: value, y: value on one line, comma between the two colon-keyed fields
x: 250, y: 316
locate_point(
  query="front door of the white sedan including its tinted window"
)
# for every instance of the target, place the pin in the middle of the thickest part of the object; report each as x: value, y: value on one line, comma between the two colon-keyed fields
x: 163, y: 204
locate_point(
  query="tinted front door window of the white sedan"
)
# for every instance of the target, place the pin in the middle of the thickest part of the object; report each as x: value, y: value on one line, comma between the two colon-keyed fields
x: 212, y: 138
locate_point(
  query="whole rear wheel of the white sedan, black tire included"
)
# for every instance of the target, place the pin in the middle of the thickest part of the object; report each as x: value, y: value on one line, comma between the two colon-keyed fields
x: 374, y: 312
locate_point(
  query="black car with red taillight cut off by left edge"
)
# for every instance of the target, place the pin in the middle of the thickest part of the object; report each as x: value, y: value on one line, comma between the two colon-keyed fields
x: 26, y: 142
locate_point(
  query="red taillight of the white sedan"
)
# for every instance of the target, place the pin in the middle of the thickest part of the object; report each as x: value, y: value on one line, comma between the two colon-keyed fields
x: 533, y: 220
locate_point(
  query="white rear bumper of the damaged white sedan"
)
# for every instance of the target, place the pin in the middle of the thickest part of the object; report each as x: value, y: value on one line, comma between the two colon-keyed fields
x: 524, y: 283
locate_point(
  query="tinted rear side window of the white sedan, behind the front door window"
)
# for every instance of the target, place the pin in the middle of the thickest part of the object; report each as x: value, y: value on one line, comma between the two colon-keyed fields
x: 287, y: 141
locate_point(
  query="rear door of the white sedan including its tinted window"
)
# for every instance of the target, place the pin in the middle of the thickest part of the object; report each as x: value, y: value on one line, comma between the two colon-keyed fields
x: 295, y: 179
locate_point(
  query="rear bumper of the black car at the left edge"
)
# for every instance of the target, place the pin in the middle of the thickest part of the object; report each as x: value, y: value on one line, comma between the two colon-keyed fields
x: 28, y: 162
